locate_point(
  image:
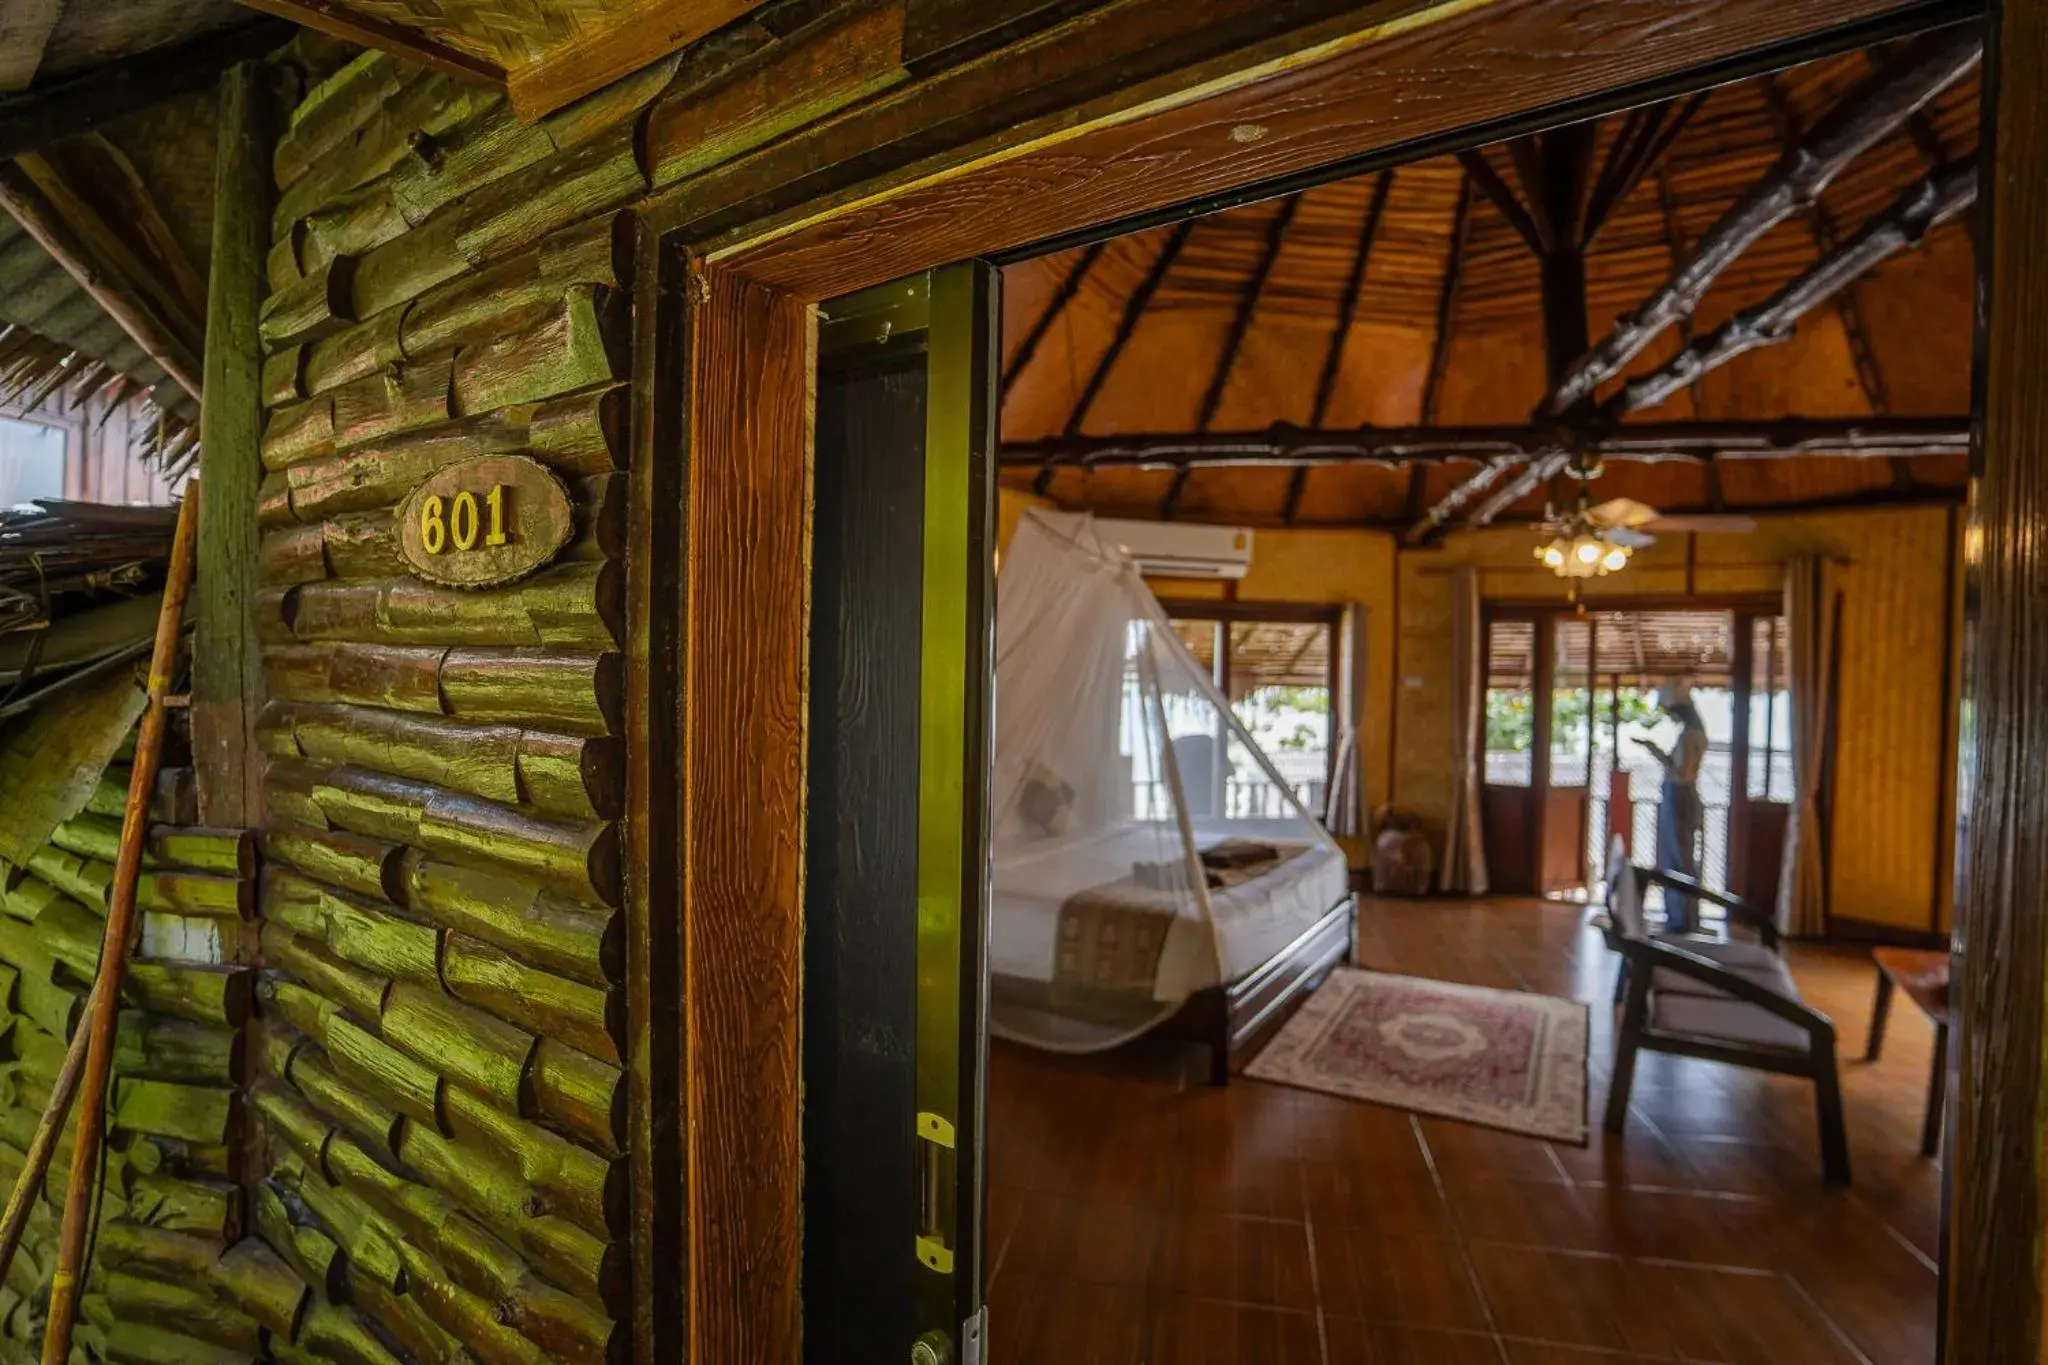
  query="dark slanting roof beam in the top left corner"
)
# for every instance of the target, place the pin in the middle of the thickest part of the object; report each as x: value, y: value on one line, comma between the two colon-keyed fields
x: 81, y: 103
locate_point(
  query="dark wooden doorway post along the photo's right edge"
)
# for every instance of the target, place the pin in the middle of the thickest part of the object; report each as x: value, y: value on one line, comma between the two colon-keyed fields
x: 1994, y: 1292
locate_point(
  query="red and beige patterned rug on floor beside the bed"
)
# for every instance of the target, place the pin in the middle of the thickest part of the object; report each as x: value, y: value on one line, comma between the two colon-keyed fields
x: 1504, y: 1059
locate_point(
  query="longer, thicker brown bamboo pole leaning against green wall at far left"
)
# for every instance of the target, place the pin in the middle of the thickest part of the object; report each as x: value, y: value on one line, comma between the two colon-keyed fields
x: 103, y: 1018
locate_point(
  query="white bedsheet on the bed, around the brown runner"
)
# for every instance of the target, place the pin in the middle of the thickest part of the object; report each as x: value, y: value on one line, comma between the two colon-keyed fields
x: 1252, y: 920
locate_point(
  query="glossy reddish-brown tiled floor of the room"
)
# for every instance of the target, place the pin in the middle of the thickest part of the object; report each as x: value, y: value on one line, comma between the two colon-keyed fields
x: 1144, y: 1219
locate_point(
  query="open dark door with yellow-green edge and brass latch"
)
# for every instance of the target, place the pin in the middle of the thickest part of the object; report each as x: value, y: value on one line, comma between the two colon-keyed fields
x: 898, y: 824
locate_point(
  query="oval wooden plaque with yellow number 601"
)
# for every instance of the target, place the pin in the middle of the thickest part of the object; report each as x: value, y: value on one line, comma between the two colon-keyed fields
x: 484, y: 523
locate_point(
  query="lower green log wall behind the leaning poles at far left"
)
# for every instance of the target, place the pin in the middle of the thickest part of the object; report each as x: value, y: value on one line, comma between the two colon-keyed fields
x: 171, y: 1204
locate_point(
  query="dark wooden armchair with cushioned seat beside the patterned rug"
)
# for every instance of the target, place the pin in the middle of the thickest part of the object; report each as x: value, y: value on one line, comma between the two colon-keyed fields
x: 1717, y: 1000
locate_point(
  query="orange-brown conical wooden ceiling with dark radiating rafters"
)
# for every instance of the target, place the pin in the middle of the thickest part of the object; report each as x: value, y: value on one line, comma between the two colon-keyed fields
x: 1230, y: 324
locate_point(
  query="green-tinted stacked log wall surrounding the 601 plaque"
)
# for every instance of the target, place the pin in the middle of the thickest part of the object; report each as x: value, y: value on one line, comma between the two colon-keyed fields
x: 437, y: 1059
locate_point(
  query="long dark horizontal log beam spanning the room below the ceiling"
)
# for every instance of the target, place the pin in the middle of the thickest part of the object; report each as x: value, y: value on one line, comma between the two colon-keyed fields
x: 1433, y: 445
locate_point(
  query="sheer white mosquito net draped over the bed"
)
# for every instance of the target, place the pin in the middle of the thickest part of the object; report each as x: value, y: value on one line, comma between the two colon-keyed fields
x: 1144, y: 846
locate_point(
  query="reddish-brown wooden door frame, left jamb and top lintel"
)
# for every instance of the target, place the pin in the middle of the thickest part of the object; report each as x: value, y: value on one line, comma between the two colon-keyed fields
x: 1369, y: 91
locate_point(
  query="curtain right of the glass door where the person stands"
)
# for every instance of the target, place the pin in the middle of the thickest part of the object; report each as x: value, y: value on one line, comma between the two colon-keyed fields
x: 1811, y: 617
